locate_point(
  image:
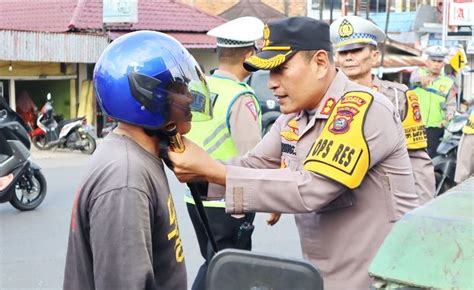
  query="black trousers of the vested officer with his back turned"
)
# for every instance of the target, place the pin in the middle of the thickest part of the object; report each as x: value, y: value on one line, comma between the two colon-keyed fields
x: 225, y: 229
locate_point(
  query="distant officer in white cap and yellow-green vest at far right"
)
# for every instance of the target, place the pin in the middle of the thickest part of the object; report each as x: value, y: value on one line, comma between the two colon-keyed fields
x: 436, y: 93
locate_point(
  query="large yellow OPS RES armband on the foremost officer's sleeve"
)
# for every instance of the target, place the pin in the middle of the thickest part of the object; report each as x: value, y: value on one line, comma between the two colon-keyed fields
x: 340, y: 152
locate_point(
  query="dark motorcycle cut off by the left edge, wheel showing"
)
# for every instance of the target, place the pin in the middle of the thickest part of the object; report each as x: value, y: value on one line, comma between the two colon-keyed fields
x: 27, y: 188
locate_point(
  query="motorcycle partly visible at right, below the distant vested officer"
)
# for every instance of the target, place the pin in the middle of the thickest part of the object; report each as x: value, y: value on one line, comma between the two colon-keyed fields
x: 445, y: 162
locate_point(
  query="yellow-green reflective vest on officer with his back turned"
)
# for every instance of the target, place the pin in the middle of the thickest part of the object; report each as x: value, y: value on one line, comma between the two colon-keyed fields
x: 215, y: 135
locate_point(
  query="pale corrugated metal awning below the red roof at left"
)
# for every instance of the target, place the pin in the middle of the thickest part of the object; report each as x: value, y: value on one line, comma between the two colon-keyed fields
x: 53, y: 47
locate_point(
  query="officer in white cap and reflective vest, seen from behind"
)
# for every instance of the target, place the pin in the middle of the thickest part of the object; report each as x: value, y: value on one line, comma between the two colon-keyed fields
x: 233, y: 131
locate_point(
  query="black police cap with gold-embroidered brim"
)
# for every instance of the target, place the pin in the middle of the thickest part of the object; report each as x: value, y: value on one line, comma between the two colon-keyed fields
x: 284, y: 37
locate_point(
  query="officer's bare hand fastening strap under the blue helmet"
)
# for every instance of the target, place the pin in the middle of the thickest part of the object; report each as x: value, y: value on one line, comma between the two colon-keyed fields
x: 194, y: 164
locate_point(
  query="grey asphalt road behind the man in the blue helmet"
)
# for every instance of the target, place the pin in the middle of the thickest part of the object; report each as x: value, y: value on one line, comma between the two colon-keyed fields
x: 33, y: 244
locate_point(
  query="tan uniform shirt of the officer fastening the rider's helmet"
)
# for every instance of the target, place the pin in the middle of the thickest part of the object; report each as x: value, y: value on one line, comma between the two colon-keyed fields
x: 340, y: 229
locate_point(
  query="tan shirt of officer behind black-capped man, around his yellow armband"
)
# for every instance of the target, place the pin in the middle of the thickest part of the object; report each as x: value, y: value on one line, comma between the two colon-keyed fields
x: 423, y: 170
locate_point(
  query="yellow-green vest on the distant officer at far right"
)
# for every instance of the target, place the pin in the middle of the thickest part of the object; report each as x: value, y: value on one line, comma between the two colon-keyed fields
x: 431, y: 107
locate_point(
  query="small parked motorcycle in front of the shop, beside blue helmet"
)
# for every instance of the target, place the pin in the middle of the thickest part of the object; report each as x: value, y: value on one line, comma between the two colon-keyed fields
x: 71, y: 134
